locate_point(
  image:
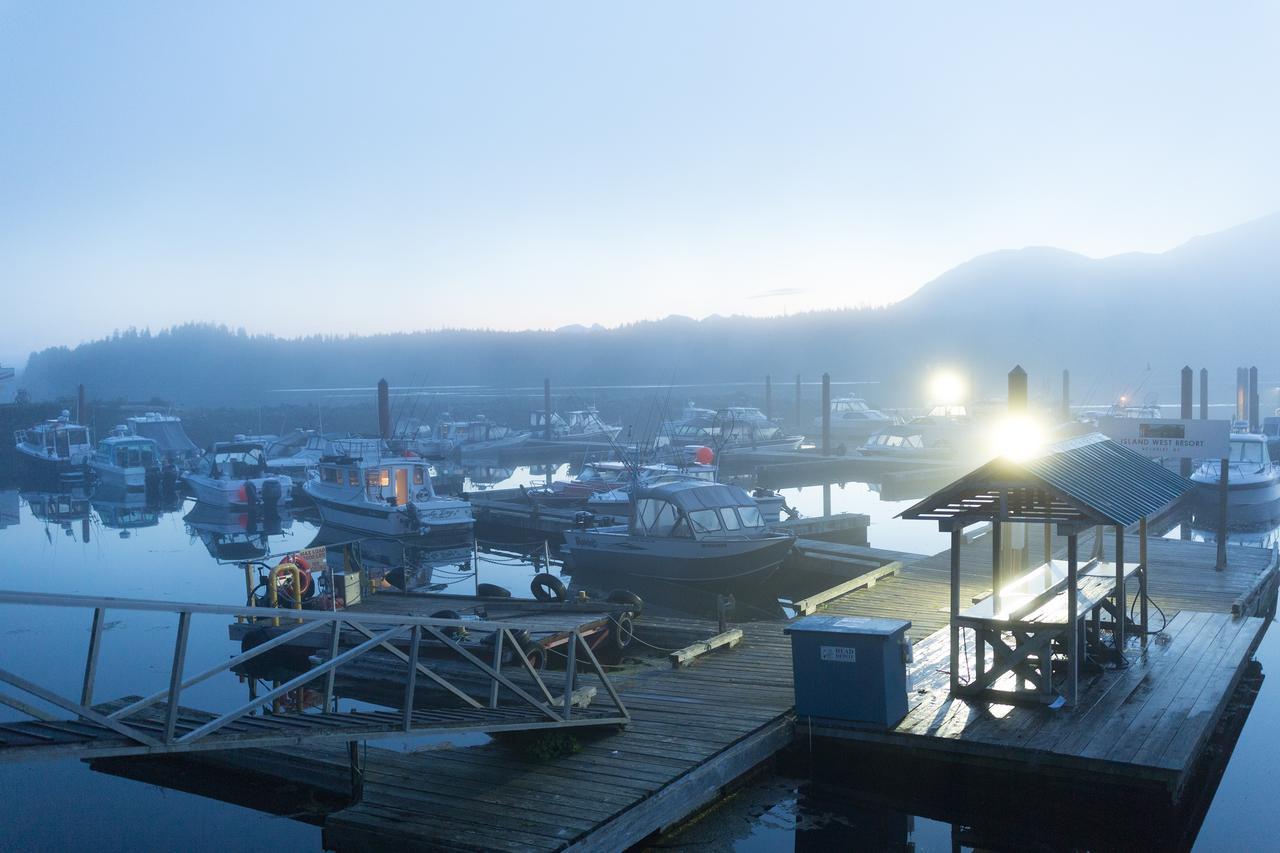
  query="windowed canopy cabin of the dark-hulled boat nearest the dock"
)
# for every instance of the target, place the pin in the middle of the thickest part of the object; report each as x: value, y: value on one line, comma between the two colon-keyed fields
x: 696, y: 510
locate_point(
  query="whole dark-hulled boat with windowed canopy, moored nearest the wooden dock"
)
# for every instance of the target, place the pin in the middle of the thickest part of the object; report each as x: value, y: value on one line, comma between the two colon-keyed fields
x: 687, y: 532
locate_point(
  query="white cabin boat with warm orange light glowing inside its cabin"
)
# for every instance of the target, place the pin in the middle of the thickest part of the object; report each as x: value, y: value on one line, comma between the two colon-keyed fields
x: 387, y: 496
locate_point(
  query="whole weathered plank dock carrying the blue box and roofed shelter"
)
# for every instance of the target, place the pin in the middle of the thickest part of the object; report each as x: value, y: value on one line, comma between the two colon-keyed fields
x: 698, y: 728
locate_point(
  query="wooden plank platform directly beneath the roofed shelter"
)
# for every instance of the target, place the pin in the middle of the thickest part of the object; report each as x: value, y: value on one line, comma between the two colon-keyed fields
x: 1145, y: 726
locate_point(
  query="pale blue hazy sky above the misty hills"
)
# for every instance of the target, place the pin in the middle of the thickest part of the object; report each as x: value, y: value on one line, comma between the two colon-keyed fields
x: 354, y: 168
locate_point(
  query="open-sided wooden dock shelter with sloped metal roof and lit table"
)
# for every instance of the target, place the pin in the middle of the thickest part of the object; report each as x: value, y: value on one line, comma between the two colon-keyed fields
x: 1043, y: 623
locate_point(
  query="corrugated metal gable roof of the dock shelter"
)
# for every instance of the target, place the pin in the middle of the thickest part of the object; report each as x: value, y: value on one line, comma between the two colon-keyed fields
x: 1082, y: 481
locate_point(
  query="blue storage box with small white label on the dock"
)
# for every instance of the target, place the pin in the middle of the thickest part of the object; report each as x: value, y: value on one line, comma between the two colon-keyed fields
x: 851, y: 669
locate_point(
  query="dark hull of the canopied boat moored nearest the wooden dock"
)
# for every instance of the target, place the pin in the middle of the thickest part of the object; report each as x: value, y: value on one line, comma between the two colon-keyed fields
x: 705, y: 563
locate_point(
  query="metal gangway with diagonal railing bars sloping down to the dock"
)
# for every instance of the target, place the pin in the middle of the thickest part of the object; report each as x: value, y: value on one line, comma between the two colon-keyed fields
x: 158, y: 724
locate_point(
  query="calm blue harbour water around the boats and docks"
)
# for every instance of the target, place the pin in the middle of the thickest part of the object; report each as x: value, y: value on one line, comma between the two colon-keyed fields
x: 94, y: 549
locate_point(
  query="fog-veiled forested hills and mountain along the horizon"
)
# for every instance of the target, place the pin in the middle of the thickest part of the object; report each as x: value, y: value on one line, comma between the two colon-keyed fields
x: 1048, y: 309
